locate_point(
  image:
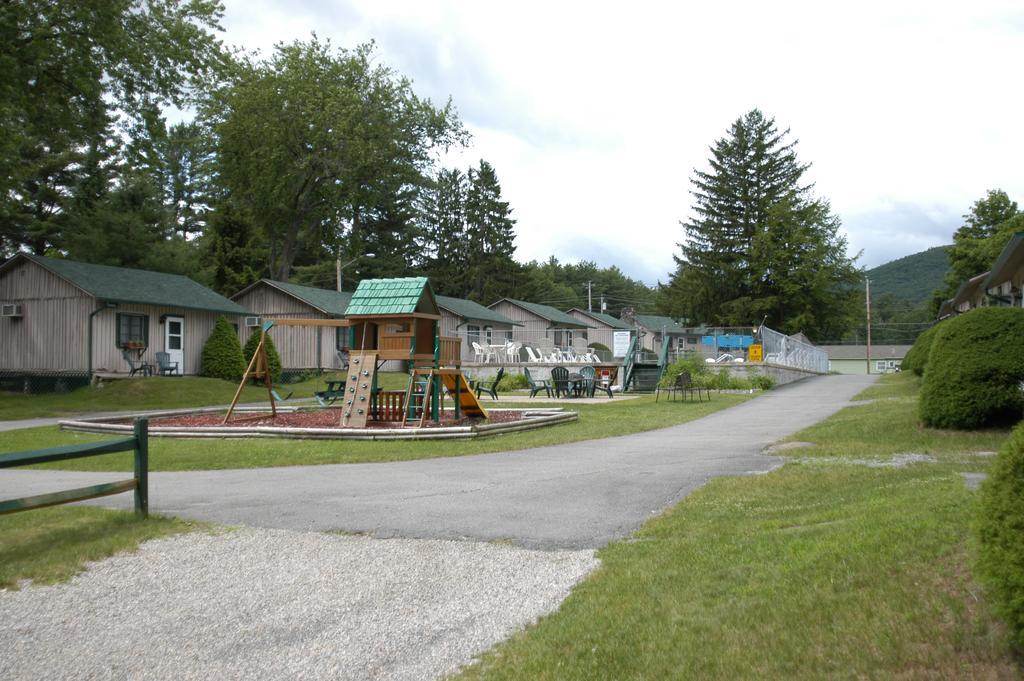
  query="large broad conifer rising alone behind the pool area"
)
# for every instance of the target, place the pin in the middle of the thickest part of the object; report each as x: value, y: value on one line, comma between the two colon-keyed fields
x: 759, y: 239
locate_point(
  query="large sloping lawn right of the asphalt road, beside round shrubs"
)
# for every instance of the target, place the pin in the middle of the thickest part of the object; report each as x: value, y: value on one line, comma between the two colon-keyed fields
x: 813, y: 572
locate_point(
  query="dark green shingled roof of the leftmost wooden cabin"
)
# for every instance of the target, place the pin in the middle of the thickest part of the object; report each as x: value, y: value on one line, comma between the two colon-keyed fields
x: 138, y: 286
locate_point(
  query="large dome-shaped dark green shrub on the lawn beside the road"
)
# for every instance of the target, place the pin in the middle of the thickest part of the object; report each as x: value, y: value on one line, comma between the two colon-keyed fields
x: 975, y: 371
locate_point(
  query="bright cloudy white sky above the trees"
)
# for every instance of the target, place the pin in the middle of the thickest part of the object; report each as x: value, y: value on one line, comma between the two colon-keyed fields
x: 596, y: 115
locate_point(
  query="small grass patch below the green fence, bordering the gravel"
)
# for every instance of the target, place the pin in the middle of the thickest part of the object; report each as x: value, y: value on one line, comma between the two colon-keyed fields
x: 55, y: 544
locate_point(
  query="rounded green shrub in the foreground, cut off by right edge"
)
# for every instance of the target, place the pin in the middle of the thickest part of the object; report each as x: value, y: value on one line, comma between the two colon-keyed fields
x: 1001, y: 535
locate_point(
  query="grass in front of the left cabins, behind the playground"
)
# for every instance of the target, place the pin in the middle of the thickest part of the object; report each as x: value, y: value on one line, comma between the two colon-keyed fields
x: 158, y: 393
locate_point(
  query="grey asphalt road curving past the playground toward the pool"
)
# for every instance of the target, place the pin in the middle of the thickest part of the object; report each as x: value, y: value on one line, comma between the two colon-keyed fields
x: 576, y: 496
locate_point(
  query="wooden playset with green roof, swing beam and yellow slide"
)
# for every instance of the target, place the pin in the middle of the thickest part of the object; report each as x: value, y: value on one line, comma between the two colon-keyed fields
x: 391, y: 319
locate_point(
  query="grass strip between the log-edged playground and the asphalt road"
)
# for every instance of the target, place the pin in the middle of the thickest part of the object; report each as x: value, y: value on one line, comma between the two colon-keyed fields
x: 606, y: 420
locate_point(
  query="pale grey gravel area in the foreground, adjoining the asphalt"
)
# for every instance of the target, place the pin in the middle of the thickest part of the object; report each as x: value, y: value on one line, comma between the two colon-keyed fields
x: 282, y: 605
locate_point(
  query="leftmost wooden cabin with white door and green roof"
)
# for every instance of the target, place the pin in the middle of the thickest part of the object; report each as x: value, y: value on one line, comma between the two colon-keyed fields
x: 63, y: 318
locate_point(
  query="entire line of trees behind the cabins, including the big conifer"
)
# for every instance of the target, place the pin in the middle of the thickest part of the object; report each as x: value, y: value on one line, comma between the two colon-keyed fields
x: 317, y: 156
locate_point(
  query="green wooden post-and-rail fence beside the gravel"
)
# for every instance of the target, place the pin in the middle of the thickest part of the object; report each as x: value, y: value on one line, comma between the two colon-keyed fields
x: 141, y: 484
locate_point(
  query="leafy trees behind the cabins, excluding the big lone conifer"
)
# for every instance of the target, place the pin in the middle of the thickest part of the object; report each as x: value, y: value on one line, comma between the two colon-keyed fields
x: 312, y: 157
